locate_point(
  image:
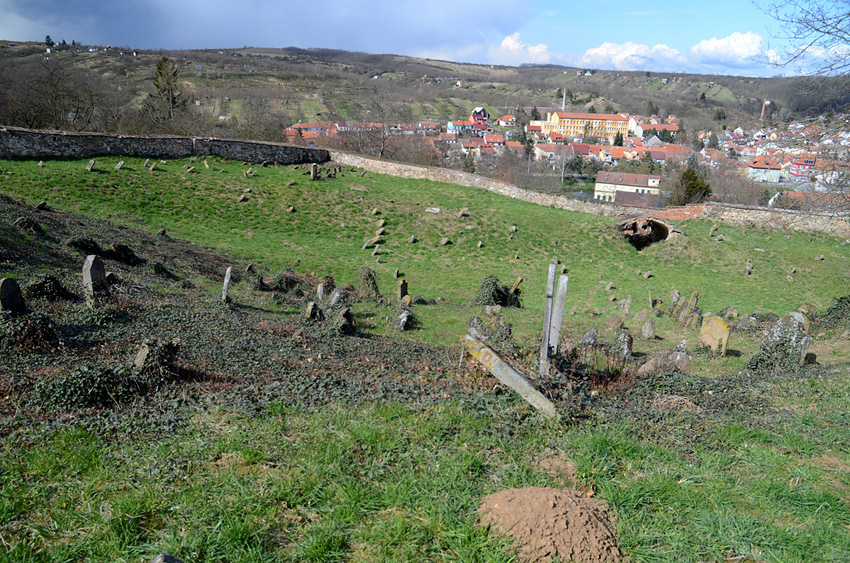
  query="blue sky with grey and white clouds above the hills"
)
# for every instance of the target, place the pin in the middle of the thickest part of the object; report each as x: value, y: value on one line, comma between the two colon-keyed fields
x: 719, y: 36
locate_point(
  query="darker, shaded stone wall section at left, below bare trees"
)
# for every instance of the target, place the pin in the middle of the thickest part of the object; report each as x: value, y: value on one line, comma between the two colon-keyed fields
x: 27, y: 143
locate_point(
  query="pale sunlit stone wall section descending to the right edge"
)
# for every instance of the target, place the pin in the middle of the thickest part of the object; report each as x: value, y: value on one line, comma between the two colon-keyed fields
x: 837, y: 224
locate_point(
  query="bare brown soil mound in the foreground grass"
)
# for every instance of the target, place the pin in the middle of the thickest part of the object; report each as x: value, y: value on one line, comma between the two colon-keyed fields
x: 553, y: 523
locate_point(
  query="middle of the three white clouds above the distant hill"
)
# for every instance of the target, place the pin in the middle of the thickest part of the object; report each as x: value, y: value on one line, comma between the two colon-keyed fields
x: 632, y: 56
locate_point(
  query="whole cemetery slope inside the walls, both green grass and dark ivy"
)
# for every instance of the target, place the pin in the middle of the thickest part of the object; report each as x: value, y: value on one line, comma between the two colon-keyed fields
x: 270, y: 436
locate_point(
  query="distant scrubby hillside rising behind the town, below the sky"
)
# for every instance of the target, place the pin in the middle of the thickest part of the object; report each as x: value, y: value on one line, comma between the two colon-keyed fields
x: 234, y: 88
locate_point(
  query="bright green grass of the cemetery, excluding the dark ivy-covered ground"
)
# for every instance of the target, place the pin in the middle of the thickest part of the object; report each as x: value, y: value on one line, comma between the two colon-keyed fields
x: 744, y: 469
